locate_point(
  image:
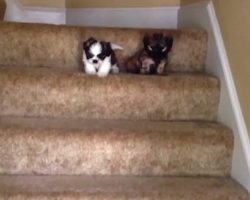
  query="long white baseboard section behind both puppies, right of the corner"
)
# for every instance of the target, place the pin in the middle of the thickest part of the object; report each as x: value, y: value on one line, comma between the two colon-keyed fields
x: 124, y: 17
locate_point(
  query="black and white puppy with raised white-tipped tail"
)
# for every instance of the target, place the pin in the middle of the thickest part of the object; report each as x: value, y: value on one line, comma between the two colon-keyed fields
x: 99, y: 57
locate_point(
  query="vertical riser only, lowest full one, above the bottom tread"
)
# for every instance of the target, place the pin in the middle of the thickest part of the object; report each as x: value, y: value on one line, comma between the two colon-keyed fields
x: 29, y: 151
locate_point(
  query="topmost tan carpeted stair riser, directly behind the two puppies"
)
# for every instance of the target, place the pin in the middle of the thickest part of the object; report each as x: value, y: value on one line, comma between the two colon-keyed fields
x: 54, y: 46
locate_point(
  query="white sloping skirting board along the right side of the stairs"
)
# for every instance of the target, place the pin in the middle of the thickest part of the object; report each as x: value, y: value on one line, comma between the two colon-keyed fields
x: 202, y: 15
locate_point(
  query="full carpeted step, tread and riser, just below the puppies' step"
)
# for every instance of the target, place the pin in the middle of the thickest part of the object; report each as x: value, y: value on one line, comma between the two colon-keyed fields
x: 113, y: 147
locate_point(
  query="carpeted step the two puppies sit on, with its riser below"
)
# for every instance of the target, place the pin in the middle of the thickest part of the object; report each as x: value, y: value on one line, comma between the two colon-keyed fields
x: 53, y: 93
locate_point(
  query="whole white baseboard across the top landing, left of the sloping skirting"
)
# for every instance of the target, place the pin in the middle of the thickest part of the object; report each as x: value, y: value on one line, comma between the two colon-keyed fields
x: 164, y: 17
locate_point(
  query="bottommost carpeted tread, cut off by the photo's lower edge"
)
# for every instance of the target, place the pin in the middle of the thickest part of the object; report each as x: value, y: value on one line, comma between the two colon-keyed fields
x: 119, y: 188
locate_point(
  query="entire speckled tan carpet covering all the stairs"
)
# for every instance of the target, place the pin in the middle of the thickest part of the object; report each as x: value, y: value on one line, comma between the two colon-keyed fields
x: 71, y: 136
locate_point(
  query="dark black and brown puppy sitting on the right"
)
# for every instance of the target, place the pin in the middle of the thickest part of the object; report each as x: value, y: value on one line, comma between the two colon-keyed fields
x: 152, y: 59
